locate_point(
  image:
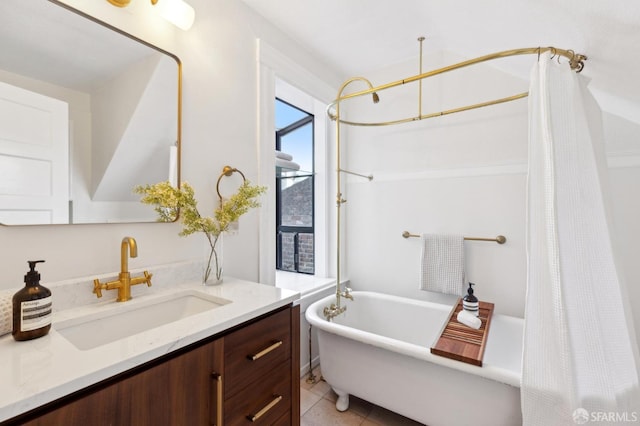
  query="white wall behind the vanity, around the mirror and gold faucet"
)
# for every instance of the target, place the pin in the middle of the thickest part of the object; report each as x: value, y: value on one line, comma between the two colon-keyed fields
x: 219, y: 128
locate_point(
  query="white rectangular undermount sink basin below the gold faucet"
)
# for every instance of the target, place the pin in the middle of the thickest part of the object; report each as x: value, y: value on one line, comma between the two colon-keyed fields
x: 129, y: 318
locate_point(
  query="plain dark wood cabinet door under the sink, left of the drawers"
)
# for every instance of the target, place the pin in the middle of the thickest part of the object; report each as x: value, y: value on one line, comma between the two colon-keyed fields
x: 175, y: 392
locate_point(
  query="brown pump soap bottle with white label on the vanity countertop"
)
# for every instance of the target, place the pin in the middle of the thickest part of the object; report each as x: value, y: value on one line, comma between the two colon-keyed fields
x: 31, y: 307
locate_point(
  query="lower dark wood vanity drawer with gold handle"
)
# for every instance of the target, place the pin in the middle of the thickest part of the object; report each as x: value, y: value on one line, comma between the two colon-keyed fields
x: 264, y: 402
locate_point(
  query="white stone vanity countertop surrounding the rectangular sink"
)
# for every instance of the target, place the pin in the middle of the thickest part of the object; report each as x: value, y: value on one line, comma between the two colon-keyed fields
x: 35, y: 372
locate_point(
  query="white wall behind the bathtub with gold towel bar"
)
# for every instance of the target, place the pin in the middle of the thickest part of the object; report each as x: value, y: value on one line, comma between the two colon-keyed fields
x: 463, y: 173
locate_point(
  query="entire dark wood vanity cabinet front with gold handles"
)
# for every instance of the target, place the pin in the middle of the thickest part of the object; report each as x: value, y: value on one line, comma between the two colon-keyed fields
x: 248, y: 375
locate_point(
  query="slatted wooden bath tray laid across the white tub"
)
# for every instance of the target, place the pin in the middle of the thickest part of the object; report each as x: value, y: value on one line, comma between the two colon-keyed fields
x: 462, y: 343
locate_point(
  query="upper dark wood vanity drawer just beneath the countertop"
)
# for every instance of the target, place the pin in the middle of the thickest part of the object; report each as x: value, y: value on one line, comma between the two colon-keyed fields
x: 256, y: 350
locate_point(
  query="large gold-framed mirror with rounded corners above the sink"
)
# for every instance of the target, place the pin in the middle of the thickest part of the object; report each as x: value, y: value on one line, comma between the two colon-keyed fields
x: 87, y: 112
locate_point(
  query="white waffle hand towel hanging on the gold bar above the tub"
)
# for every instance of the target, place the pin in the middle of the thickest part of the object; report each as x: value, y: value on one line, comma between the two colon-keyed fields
x: 442, y: 263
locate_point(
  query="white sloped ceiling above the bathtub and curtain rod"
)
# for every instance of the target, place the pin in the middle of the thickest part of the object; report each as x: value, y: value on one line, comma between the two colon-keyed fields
x: 356, y: 36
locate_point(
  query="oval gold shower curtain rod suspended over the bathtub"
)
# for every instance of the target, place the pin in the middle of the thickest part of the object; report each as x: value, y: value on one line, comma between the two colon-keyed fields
x: 576, y: 62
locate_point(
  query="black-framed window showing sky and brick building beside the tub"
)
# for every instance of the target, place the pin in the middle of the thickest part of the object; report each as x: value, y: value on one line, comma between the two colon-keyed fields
x: 294, y: 189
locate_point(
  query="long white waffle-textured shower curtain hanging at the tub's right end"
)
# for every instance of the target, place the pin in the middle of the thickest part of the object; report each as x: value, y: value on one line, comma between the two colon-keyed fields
x: 580, y: 361
